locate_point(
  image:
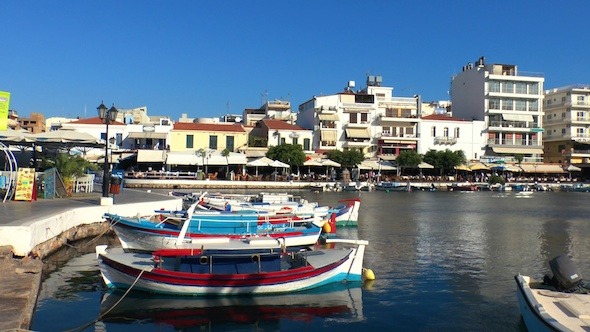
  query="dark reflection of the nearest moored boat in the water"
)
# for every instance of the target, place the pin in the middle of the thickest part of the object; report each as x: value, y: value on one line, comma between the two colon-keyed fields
x: 339, y: 303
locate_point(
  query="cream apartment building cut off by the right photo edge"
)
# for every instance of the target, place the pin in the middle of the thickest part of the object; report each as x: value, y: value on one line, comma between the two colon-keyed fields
x: 567, y: 125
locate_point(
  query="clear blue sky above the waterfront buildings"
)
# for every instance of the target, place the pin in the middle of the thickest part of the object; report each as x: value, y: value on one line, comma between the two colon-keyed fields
x: 209, y: 58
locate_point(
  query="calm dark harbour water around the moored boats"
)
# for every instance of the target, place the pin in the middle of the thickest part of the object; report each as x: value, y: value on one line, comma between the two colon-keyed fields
x: 443, y: 261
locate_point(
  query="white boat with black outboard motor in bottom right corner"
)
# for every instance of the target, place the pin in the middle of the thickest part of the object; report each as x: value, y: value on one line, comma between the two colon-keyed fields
x: 558, y: 303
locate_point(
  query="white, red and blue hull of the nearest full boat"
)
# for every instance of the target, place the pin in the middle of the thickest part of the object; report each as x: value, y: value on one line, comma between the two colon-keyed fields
x: 125, y: 270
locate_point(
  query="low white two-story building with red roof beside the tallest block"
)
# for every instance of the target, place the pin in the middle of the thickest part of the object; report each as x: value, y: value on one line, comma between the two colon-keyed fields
x: 442, y: 132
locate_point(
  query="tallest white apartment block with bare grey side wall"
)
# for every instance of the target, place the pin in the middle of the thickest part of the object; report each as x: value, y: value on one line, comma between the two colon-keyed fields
x: 508, y: 101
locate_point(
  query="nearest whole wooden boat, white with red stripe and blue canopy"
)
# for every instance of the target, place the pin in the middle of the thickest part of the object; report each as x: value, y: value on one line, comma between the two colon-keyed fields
x: 198, y: 272
